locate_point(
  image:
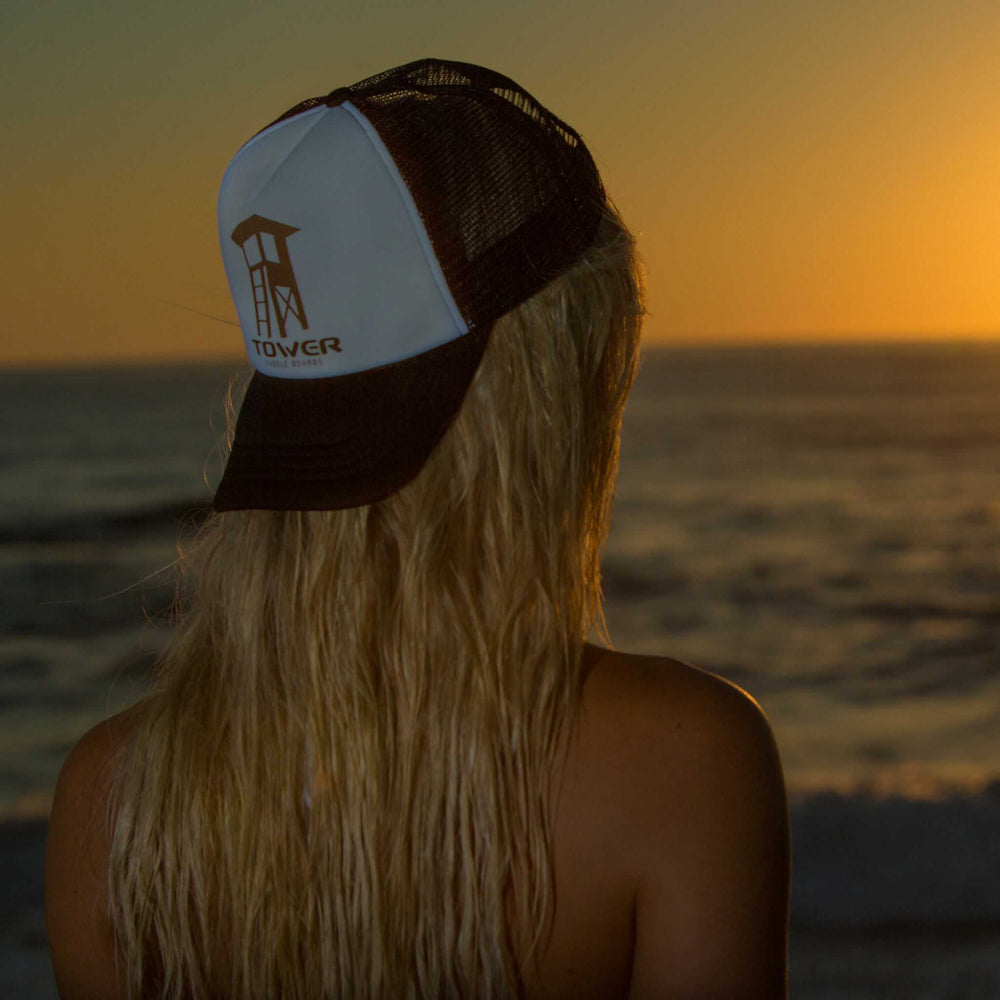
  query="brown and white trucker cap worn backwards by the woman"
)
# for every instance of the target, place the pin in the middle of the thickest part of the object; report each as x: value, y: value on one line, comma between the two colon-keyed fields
x: 371, y: 238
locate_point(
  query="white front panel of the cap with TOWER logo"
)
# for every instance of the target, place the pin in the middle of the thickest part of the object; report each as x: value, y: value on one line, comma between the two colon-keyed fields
x: 328, y: 262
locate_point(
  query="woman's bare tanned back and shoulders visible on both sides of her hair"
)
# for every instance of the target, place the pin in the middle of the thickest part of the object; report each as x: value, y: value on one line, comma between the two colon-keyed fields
x: 670, y: 844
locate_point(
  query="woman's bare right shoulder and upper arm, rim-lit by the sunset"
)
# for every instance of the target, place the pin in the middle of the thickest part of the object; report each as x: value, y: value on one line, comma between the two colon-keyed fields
x: 701, y: 780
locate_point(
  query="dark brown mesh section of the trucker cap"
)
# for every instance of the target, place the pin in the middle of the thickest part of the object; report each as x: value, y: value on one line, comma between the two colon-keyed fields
x: 509, y: 194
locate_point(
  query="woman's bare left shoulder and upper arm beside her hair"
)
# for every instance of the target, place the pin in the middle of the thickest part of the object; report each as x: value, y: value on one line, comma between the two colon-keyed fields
x: 76, y: 854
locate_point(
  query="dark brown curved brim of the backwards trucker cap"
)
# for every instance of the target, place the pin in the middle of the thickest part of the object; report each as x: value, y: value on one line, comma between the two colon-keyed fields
x: 347, y: 440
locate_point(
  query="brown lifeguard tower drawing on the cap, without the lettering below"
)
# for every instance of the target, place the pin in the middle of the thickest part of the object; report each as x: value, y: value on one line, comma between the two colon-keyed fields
x: 275, y: 290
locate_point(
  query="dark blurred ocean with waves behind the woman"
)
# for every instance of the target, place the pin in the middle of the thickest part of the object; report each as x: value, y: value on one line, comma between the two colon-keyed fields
x: 818, y: 524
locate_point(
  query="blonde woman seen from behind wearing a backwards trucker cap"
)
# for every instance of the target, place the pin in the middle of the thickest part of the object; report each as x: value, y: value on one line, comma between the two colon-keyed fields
x: 380, y: 759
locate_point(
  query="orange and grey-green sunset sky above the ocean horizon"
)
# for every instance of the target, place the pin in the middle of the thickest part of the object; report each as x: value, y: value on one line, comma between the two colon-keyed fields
x: 795, y: 171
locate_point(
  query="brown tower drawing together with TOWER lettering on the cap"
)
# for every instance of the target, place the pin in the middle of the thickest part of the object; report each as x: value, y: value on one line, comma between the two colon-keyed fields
x: 275, y: 290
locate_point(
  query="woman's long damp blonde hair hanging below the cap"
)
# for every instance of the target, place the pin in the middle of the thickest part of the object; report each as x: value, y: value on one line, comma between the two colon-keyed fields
x: 412, y: 667
